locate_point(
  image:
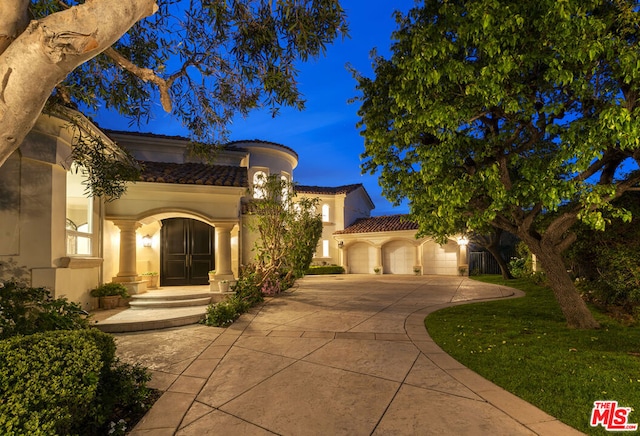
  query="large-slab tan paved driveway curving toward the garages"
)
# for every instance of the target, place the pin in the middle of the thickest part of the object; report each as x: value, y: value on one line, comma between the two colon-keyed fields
x: 340, y: 355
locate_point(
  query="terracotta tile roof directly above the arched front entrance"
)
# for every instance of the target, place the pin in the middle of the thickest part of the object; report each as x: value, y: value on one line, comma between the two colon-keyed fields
x: 194, y: 174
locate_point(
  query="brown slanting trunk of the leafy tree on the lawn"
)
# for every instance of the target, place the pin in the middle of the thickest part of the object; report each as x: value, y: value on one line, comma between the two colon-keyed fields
x: 573, y: 306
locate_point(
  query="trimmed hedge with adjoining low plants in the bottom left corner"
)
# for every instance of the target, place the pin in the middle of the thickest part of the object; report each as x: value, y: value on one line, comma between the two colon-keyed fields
x: 67, y: 382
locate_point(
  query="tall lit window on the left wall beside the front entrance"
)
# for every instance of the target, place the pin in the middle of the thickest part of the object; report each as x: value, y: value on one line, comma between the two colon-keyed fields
x: 79, y: 226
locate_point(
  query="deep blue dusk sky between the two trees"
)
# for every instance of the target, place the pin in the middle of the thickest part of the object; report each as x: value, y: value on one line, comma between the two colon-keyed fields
x: 324, y: 135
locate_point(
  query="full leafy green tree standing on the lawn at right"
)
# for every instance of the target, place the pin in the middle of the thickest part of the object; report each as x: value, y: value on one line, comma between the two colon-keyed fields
x: 501, y: 113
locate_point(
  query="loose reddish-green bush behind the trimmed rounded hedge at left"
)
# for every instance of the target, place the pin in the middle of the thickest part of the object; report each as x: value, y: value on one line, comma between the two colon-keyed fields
x: 25, y: 310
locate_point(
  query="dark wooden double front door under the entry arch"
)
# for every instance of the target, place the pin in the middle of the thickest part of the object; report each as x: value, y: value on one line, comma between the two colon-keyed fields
x: 187, y: 253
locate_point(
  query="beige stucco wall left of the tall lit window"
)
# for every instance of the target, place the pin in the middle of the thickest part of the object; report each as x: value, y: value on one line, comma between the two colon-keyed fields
x: 36, y: 212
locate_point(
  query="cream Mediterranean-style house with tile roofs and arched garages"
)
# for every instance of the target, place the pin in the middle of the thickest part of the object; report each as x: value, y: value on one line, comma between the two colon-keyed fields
x: 182, y: 219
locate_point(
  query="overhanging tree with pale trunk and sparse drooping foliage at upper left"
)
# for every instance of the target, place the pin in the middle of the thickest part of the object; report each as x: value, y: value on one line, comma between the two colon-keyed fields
x: 204, y: 60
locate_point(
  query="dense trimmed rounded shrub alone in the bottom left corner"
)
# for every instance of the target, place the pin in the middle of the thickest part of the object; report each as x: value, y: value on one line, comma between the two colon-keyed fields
x: 48, y: 381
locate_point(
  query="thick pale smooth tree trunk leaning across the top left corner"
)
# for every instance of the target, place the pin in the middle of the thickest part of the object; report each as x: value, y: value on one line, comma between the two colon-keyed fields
x: 48, y: 50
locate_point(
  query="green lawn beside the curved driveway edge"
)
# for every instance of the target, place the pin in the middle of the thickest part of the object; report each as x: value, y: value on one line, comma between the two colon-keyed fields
x: 524, y: 346
